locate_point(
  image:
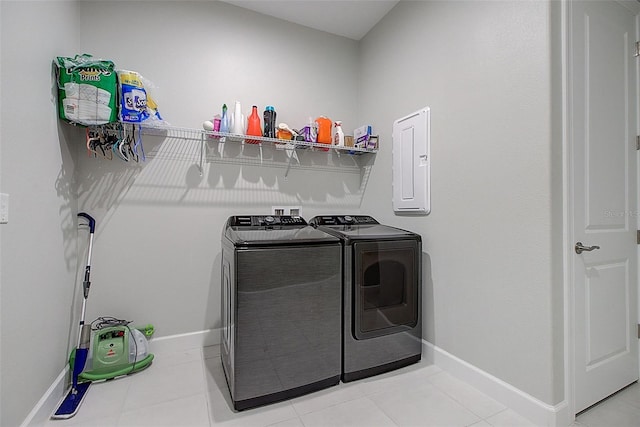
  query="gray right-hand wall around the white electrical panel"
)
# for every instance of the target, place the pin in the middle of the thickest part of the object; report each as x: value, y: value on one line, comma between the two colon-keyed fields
x: 484, y: 68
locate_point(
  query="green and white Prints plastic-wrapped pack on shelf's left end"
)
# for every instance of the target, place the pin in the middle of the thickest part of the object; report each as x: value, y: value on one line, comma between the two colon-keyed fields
x: 87, y: 90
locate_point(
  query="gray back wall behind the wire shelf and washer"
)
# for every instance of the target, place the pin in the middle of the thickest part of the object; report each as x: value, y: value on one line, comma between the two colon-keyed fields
x: 157, y: 248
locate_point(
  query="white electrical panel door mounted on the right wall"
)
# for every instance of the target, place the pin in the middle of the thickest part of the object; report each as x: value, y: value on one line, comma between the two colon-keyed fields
x: 412, y: 163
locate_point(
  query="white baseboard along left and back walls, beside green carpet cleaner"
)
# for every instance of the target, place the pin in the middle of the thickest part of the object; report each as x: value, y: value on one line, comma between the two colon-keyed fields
x: 162, y: 345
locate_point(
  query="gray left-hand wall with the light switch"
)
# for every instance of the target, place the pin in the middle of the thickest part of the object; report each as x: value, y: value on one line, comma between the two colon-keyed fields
x: 38, y: 245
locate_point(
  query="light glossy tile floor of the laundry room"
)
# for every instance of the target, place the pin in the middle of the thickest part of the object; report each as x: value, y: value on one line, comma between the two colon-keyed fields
x: 189, y: 389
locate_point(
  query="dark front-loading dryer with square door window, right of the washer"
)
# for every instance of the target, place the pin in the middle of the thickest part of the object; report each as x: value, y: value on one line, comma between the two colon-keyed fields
x: 382, y: 281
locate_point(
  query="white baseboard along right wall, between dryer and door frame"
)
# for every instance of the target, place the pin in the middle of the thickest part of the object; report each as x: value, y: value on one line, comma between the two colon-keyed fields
x: 533, y: 409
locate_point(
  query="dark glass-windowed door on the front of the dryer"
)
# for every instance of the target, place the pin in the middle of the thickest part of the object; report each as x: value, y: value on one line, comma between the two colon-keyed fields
x: 386, y: 287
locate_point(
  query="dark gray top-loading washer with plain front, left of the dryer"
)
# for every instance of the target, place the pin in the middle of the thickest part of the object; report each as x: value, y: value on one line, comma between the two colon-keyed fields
x: 281, y: 309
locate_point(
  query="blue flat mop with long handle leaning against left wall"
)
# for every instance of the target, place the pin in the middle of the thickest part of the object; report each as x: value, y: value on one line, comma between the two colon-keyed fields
x: 70, y: 404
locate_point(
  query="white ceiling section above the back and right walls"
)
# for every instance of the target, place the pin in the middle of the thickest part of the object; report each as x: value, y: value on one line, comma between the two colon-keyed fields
x: 347, y: 18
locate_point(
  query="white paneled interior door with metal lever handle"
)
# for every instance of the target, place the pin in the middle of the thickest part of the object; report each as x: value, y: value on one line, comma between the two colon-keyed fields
x: 603, y: 117
